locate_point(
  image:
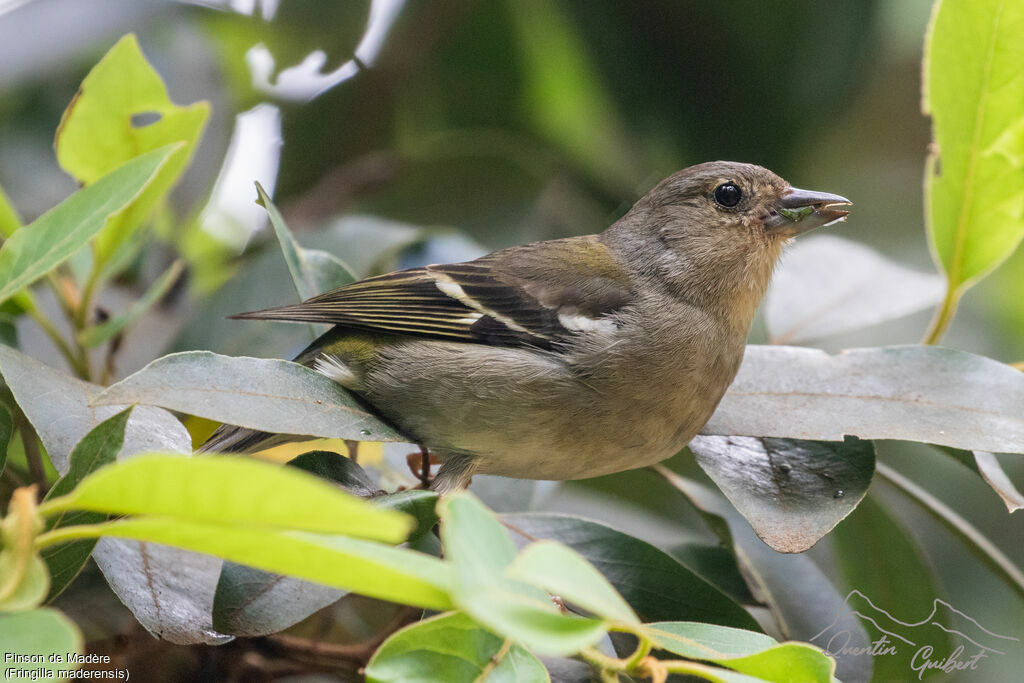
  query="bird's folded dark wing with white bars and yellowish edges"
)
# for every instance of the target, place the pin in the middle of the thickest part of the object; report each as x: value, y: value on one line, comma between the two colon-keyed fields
x: 537, y: 294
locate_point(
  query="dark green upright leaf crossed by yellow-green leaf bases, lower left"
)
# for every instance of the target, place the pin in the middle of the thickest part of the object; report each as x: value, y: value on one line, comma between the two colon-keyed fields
x: 97, y: 449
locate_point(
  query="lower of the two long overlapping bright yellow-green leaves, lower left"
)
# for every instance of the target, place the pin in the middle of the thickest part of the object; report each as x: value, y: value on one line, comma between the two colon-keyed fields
x: 353, y: 565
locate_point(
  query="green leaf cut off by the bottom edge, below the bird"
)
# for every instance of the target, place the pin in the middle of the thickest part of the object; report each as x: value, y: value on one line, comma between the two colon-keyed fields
x: 453, y: 649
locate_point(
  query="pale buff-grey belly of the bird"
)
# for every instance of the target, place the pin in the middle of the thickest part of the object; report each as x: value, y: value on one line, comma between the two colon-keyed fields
x: 525, y: 416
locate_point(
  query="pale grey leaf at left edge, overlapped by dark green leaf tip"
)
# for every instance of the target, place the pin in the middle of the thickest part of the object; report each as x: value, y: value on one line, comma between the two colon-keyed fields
x: 58, y: 407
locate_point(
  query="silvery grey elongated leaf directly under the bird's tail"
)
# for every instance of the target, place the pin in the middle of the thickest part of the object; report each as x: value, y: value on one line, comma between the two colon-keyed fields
x: 276, y: 397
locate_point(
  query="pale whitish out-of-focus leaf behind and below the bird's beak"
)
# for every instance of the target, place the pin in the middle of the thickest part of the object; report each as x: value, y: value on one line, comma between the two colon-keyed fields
x: 827, y: 285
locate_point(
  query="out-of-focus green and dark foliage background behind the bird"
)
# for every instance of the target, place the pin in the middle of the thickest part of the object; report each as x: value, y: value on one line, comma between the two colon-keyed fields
x: 394, y: 134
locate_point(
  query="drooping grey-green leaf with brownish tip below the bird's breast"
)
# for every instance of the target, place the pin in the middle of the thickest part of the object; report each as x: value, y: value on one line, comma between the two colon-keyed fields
x: 792, y: 492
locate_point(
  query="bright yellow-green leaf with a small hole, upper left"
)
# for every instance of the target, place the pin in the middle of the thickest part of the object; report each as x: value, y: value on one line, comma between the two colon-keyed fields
x: 101, y: 131
